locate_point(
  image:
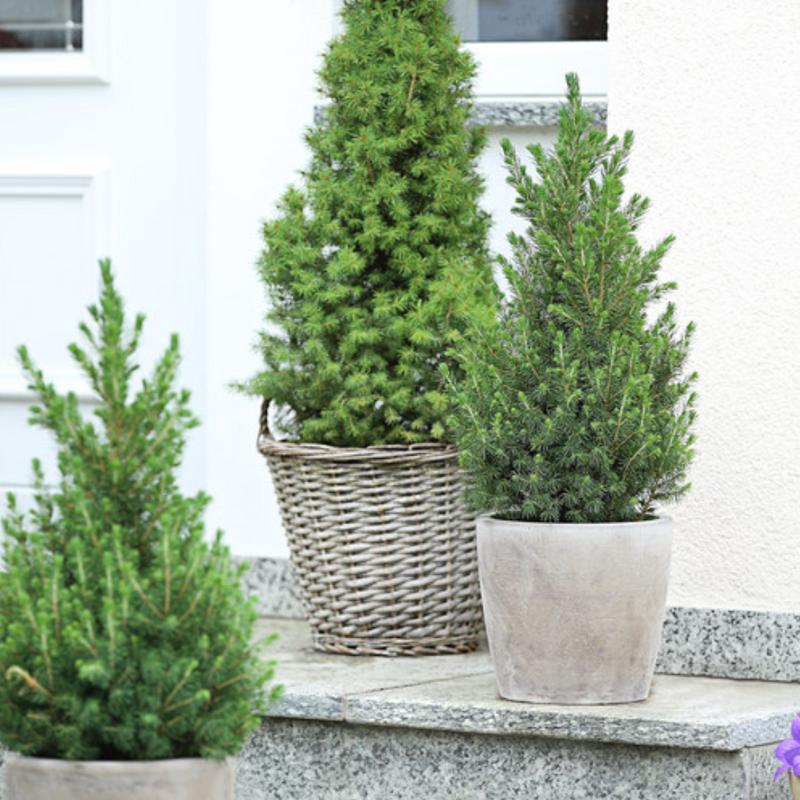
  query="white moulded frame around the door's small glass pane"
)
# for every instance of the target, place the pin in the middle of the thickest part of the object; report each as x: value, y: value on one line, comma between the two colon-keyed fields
x: 90, y: 65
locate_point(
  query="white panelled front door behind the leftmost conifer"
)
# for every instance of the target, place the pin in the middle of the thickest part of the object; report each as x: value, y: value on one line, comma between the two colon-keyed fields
x: 102, y: 153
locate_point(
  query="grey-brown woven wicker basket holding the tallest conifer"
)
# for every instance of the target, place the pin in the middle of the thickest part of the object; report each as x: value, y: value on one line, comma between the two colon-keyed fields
x: 382, y: 546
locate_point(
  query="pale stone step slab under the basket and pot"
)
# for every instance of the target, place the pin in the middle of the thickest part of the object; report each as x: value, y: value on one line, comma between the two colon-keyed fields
x: 458, y: 694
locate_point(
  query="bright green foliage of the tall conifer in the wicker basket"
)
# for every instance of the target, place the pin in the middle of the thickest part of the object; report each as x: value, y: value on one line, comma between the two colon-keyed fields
x: 378, y: 262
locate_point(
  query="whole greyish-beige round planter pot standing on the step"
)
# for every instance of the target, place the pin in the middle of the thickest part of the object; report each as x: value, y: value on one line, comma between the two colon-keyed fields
x: 574, y: 612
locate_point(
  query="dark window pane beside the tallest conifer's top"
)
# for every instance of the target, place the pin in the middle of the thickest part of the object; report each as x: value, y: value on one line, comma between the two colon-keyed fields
x: 530, y: 20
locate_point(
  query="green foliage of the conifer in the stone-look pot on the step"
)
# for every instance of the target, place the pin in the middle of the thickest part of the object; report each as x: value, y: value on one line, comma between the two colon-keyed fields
x: 577, y: 408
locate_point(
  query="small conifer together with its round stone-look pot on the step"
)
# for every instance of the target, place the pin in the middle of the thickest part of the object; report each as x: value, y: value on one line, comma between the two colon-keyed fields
x: 573, y: 422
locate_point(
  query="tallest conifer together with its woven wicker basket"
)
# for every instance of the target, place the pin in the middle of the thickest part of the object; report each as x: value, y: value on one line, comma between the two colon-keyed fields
x: 374, y: 268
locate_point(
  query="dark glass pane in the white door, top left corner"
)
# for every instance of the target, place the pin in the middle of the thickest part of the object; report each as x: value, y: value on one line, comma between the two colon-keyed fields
x: 41, y: 25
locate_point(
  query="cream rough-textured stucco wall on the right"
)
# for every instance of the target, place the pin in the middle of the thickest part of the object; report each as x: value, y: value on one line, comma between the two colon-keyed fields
x: 712, y: 92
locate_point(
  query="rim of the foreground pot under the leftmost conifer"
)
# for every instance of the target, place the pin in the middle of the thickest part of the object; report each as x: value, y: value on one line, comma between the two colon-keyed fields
x: 170, y: 779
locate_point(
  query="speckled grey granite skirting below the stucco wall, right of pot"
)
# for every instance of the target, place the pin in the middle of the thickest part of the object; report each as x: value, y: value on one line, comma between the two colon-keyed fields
x: 734, y: 644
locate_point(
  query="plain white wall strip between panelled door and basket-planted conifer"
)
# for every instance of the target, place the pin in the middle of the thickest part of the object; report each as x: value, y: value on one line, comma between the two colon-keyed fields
x: 262, y: 60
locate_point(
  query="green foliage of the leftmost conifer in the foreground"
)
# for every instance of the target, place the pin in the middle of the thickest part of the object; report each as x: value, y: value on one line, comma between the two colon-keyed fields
x: 123, y: 634
